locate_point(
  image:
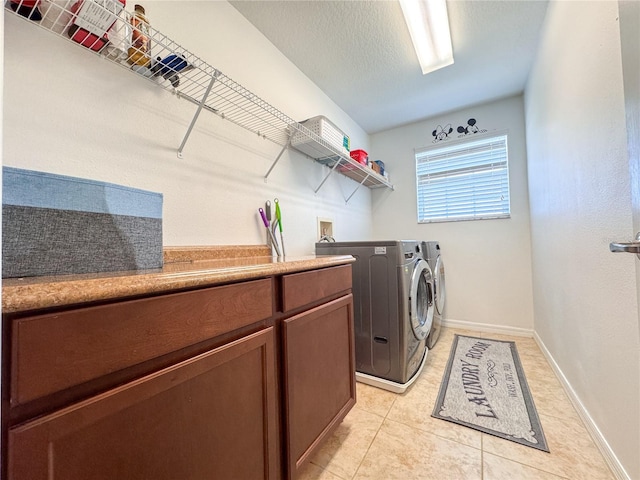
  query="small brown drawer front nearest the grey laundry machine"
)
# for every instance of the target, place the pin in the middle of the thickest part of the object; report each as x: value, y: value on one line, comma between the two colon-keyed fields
x: 306, y: 287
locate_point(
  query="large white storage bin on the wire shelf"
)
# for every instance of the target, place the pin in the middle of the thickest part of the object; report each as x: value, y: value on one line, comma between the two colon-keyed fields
x: 327, y: 132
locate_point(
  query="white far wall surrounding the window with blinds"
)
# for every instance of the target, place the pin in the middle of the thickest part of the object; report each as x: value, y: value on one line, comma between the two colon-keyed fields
x: 488, y: 262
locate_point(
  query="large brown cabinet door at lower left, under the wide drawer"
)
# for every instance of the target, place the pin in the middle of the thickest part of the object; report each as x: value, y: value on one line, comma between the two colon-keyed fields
x: 212, y: 416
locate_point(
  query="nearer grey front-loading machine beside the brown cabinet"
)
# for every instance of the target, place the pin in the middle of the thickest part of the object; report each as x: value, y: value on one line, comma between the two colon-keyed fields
x: 393, y: 309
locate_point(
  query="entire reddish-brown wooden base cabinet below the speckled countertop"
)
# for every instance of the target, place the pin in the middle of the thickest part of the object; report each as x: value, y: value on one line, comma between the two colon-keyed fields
x: 242, y: 381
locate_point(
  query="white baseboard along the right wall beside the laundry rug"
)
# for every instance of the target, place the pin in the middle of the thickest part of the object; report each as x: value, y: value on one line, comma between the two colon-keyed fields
x: 601, y: 443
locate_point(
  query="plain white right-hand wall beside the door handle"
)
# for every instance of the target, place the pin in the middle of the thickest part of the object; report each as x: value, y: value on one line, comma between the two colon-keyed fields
x: 585, y: 296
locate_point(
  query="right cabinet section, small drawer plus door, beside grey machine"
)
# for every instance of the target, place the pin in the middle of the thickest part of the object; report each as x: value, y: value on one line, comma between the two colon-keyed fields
x: 318, y: 359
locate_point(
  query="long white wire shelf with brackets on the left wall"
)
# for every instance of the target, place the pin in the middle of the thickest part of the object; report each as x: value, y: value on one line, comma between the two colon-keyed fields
x: 104, y: 28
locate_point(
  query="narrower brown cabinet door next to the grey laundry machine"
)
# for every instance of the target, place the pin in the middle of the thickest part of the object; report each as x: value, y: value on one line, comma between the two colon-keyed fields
x: 319, y: 376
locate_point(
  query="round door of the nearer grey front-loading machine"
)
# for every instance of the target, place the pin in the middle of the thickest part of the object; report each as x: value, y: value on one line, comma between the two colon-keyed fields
x: 421, y: 299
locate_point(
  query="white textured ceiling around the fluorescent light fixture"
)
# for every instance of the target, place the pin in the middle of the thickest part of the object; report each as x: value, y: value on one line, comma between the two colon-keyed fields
x: 360, y: 54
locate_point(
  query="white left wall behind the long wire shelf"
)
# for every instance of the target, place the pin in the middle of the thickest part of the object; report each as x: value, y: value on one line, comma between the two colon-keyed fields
x: 70, y: 112
